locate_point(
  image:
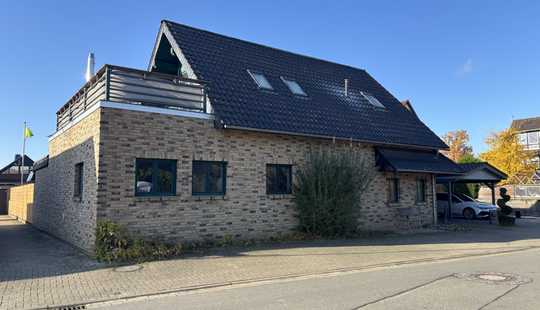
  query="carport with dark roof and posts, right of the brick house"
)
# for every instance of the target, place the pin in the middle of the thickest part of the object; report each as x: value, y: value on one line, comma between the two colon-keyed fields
x: 479, y: 173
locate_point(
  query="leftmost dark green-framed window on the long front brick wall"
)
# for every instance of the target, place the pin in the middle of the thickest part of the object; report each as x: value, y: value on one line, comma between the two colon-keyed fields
x: 155, y: 177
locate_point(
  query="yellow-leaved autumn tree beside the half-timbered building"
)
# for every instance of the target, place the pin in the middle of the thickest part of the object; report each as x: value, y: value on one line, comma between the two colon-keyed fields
x: 508, y: 155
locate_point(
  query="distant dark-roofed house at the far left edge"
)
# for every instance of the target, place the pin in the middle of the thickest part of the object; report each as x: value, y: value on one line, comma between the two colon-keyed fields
x: 10, y: 176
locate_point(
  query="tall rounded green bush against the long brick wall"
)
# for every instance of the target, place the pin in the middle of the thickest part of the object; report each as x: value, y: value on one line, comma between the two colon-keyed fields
x: 328, y: 192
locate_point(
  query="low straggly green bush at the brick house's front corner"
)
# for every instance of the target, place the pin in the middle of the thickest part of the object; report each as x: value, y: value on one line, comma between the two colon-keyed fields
x: 114, y: 244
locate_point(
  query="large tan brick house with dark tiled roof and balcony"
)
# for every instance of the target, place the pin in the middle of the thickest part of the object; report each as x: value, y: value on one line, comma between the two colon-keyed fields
x: 206, y: 143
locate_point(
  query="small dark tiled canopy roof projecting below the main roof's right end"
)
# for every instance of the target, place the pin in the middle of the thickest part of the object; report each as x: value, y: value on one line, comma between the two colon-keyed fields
x: 406, y: 160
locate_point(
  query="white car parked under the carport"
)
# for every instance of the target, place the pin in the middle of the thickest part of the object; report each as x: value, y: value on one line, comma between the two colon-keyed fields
x: 463, y: 205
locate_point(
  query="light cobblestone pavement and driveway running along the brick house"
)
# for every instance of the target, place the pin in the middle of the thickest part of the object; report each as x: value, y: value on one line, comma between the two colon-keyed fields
x: 37, y: 270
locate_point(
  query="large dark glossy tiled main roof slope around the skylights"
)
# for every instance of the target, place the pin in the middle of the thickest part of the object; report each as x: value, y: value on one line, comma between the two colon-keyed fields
x: 223, y: 62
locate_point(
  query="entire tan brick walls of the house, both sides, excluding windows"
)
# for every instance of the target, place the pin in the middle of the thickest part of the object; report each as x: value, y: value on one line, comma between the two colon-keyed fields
x: 109, y: 140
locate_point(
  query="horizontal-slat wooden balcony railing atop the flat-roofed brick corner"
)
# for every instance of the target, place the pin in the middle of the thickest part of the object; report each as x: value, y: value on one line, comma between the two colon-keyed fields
x: 131, y: 86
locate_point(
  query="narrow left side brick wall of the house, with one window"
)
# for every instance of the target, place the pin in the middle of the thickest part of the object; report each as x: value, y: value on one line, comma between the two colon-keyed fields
x: 56, y: 210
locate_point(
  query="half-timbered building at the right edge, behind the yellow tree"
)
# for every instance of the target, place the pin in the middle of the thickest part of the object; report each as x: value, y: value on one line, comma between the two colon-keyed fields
x: 528, y: 130
